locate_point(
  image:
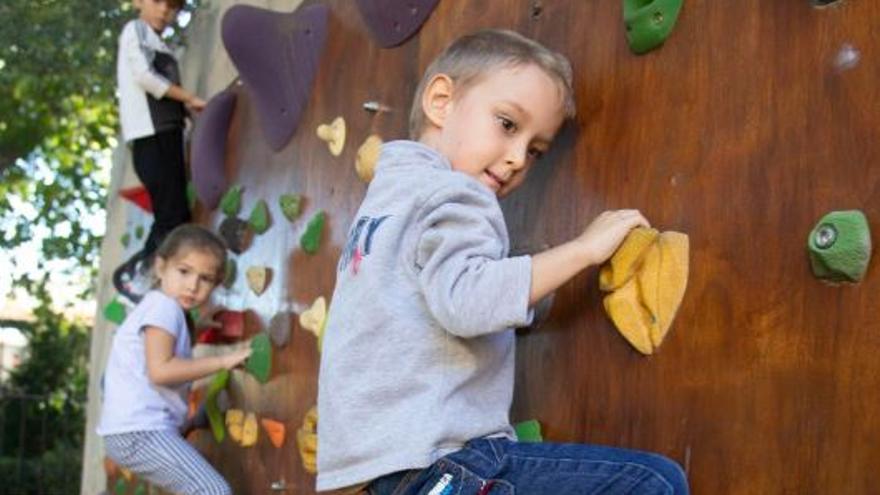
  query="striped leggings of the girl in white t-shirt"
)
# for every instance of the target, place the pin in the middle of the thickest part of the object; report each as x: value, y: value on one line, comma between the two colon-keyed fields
x: 167, y: 460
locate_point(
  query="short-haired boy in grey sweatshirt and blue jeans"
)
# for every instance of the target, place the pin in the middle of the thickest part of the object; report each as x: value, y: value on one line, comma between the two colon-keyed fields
x: 417, y: 366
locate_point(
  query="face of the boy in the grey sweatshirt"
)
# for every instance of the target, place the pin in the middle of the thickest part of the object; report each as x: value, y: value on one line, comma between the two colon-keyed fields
x: 498, y: 126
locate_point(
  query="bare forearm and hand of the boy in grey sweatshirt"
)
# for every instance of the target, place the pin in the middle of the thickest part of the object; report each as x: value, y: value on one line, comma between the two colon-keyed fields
x: 554, y: 267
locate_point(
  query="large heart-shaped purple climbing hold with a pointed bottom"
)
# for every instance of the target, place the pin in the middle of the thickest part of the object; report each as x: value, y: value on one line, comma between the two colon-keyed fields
x: 277, y: 56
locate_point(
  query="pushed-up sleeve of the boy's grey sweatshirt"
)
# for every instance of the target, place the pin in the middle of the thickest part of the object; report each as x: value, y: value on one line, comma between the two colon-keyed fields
x: 469, y: 284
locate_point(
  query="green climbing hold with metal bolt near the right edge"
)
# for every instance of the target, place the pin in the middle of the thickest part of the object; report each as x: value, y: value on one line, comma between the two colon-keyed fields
x: 840, y: 247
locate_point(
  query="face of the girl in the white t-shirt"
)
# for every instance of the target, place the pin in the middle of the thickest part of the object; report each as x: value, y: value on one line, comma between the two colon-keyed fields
x: 188, y: 277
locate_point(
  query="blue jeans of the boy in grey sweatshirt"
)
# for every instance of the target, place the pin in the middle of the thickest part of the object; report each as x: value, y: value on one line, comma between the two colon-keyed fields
x: 498, y: 466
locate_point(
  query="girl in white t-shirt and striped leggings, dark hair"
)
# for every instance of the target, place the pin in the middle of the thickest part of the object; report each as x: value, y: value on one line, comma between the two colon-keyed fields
x: 150, y: 368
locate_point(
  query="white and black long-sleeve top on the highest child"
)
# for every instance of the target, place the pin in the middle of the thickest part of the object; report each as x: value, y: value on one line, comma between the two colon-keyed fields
x: 145, y: 69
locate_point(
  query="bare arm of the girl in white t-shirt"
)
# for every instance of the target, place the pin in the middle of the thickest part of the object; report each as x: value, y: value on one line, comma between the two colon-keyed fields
x: 164, y: 368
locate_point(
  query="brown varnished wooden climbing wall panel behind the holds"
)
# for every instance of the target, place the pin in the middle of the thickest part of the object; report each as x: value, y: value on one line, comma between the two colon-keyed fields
x: 740, y: 131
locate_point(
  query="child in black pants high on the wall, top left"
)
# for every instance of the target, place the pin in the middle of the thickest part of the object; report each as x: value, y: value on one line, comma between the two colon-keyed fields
x: 152, y: 107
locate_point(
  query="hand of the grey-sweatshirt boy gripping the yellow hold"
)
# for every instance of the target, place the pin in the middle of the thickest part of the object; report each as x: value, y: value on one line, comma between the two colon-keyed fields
x: 605, y: 234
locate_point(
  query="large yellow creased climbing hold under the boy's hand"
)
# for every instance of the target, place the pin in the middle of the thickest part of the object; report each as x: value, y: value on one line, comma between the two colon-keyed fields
x: 648, y: 280
